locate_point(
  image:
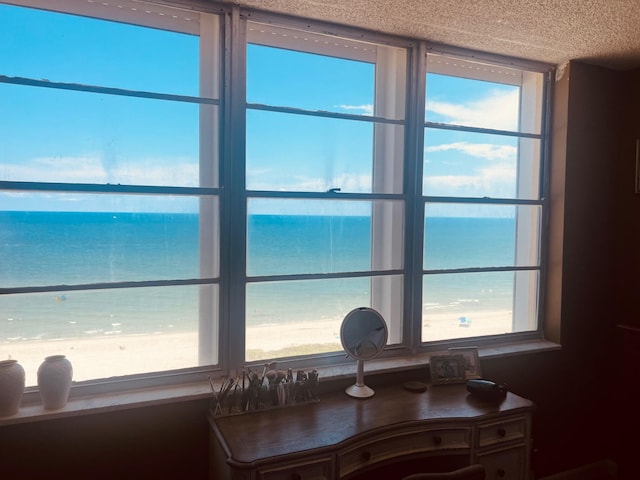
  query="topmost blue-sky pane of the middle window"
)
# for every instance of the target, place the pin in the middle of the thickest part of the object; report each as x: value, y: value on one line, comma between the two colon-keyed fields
x: 281, y: 77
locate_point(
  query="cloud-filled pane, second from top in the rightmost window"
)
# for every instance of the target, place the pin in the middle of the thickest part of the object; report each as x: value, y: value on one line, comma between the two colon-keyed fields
x: 464, y: 164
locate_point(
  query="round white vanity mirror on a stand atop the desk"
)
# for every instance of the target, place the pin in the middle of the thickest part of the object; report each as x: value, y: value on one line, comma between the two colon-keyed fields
x: 363, y: 335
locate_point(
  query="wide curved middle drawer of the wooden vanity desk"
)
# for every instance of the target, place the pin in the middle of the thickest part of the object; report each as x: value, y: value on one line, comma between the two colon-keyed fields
x: 399, y: 445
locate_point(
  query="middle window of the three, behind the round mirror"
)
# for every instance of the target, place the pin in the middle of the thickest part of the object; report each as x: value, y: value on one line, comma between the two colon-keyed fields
x: 325, y: 131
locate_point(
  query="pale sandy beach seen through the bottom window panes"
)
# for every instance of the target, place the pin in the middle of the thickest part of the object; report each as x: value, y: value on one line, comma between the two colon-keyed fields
x: 118, y: 355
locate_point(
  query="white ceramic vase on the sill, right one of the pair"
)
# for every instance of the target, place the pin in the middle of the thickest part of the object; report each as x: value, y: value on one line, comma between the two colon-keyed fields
x: 54, y: 381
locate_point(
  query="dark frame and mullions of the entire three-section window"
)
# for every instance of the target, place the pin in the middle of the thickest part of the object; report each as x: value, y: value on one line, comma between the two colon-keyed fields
x: 233, y: 196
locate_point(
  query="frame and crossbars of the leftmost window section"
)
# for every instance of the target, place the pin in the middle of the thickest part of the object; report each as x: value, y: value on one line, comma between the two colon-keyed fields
x: 210, y: 40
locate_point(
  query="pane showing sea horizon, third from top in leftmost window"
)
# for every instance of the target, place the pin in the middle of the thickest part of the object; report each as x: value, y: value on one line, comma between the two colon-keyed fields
x: 102, y: 238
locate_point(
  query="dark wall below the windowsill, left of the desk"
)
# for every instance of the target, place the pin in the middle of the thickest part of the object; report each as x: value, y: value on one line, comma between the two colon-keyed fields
x: 167, y: 441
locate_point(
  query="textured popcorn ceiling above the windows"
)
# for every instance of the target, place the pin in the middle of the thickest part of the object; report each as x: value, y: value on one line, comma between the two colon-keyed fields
x: 602, y: 32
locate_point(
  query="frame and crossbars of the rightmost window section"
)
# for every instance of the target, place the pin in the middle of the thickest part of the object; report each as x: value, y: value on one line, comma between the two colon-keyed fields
x: 498, y: 70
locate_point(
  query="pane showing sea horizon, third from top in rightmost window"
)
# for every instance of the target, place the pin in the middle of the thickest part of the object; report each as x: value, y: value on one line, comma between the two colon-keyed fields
x: 467, y: 236
